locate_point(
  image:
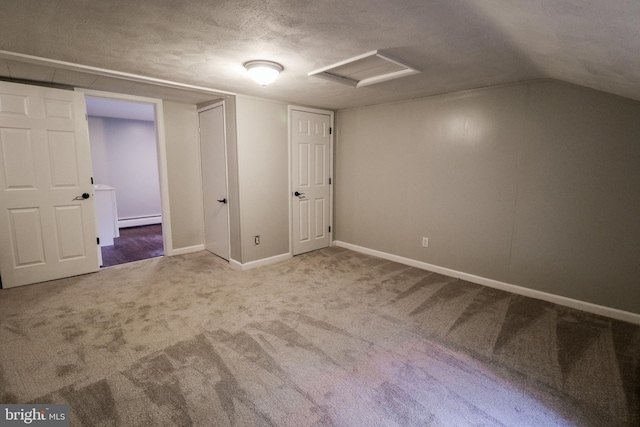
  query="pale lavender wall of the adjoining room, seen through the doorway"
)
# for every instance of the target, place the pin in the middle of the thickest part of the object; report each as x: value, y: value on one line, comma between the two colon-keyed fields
x: 124, y: 156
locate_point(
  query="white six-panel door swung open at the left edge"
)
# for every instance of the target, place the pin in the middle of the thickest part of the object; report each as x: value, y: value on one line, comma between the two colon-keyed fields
x: 47, y: 213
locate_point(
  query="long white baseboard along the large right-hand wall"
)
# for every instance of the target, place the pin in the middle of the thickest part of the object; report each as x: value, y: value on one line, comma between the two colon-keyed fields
x: 613, y: 313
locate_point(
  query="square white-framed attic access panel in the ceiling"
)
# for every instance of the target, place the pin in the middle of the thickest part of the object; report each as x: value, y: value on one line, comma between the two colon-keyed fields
x: 364, y: 70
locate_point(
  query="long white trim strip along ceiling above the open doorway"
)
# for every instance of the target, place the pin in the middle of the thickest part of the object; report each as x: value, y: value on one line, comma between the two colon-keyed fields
x: 4, y: 54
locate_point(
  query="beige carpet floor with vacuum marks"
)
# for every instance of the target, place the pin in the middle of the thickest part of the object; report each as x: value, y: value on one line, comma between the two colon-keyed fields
x: 329, y: 338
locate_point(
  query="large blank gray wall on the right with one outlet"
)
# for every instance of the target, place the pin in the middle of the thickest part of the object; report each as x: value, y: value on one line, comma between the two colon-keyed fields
x: 535, y: 185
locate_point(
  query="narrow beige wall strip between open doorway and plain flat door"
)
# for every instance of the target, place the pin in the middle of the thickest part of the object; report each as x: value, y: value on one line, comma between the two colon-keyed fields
x: 183, y: 174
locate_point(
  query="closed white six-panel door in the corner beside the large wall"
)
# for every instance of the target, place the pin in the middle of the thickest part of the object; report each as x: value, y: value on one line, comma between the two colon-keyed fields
x: 311, y: 176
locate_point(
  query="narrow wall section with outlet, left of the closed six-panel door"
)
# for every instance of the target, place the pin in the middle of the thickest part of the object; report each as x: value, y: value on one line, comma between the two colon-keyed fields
x: 263, y: 174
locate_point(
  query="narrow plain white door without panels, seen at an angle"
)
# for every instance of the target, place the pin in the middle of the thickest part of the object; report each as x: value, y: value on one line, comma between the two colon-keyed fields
x: 214, y: 180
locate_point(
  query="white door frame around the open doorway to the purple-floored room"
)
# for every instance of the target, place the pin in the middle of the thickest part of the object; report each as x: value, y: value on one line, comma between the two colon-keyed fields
x: 162, y: 157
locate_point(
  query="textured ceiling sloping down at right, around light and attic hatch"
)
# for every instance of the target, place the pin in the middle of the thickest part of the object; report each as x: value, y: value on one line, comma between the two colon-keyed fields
x: 456, y: 44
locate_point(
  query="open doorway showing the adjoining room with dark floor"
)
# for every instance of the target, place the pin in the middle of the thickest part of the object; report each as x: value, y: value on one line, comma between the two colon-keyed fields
x: 124, y: 154
